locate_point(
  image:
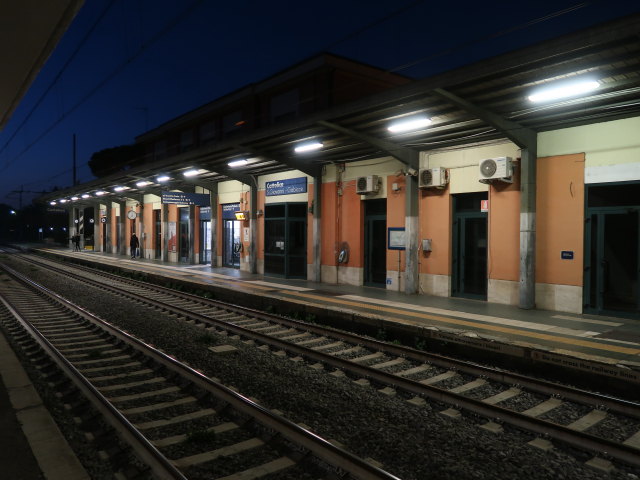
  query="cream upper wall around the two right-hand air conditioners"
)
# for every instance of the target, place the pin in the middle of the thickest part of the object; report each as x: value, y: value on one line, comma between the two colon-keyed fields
x: 463, y: 164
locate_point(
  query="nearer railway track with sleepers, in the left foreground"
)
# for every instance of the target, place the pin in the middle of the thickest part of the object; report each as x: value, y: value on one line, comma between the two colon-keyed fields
x: 176, y: 421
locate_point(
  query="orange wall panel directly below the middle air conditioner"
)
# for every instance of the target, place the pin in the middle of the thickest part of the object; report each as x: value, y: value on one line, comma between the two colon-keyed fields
x: 435, y: 223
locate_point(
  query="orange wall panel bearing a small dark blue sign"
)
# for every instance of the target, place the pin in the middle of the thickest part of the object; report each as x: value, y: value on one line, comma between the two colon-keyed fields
x: 560, y: 219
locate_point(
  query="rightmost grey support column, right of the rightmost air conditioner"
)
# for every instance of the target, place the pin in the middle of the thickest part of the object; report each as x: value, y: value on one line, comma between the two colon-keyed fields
x: 528, y: 224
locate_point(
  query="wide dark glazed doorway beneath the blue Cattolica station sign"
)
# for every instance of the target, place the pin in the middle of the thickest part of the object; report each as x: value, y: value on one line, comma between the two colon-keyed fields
x: 285, y: 239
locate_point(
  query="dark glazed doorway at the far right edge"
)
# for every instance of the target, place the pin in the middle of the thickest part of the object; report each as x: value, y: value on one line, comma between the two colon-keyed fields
x: 612, y: 250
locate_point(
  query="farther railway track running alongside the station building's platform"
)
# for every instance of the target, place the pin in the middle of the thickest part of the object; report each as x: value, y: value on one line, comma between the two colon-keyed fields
x: 501, y: 397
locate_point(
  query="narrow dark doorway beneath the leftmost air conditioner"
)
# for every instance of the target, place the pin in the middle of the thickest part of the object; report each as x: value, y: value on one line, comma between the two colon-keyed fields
x: 375, y: 243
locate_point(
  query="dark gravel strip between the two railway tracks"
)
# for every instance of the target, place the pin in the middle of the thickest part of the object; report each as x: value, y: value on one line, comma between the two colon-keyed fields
x: 414, y: 443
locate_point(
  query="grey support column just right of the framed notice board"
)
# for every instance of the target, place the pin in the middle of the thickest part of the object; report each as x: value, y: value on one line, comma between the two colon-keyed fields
x: 411, y: 235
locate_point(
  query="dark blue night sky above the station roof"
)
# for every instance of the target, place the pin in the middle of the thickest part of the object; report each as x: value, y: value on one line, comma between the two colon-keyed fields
x: 146, y: 61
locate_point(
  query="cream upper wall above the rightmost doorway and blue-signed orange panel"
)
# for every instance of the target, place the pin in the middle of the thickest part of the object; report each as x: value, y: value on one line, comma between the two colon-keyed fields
x: 612, y: 149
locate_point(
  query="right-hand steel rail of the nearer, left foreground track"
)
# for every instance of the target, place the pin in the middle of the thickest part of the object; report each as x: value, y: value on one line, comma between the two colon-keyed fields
x: 322, y: 449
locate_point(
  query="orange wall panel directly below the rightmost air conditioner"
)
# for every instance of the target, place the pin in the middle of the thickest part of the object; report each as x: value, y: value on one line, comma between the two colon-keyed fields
x: 503, y: 261
